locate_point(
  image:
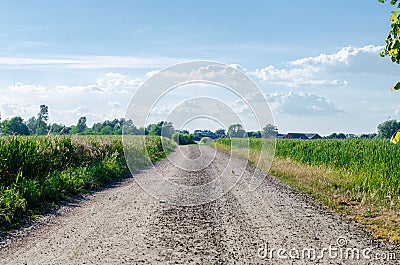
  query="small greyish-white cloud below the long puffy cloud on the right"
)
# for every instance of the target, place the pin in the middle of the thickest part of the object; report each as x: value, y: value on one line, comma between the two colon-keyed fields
x: 302, y: 104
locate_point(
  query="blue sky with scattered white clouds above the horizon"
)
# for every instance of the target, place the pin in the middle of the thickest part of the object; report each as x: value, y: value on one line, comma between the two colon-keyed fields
x: 316, y: 62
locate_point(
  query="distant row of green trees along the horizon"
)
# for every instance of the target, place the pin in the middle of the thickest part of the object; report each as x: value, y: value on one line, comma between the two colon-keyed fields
x: 38, y: 125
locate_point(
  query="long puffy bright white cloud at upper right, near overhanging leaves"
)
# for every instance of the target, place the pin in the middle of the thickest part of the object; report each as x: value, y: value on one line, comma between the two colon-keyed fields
x: 309, y: 70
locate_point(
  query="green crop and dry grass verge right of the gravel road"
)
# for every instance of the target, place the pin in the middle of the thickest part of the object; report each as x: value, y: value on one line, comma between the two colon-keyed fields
x: 355, y: 177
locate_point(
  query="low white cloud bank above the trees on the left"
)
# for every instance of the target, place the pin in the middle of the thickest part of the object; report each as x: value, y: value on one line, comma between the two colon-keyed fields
x: 106, y: 98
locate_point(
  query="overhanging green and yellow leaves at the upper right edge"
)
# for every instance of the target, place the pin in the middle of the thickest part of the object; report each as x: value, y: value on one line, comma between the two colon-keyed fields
x: 392, y: 48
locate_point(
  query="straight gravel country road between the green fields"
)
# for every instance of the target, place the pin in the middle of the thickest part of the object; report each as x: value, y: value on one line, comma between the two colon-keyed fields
x: 125, y: 225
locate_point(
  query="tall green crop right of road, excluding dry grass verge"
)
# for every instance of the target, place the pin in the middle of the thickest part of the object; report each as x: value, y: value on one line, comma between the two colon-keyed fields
x: 372, y: 166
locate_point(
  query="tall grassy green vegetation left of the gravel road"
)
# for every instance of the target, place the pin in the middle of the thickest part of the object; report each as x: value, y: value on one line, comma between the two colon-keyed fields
x: 37, y: 171
